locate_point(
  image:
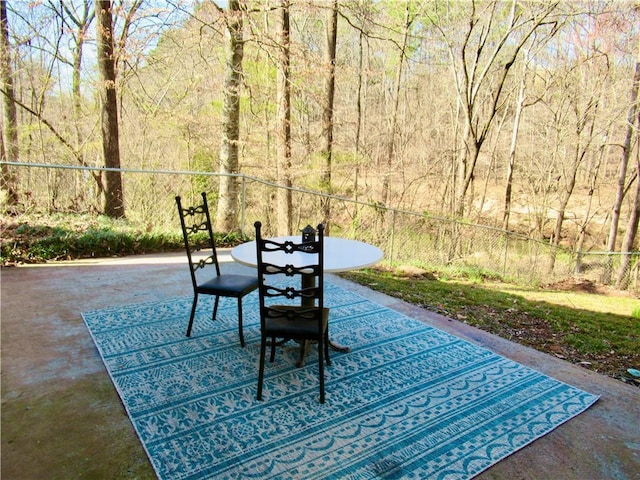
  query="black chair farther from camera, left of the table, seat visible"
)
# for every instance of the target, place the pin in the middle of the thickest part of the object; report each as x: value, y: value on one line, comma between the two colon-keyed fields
x: 198, y: 236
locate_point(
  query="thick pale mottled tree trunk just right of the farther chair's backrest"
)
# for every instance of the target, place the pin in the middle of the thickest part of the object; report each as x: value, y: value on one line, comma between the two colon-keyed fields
x: 227, y: 213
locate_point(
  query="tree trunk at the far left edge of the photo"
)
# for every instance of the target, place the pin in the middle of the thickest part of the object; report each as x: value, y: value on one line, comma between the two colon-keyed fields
x: 10, y: 150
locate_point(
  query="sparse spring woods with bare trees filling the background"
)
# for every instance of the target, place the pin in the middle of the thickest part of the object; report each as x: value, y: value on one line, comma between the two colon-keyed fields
x: 521, y: 116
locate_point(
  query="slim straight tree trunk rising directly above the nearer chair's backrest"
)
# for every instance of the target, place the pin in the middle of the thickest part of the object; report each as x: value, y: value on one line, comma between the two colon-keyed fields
x: 285, y: 197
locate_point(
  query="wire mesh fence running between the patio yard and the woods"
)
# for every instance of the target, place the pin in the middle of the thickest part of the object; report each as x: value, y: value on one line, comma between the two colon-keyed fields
x: 407, y: 238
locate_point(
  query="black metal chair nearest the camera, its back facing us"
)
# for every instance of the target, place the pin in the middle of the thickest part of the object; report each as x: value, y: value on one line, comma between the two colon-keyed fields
x: 295, y: 311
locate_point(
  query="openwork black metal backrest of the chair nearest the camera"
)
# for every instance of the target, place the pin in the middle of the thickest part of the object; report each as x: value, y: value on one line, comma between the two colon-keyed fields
x: 309, y: 291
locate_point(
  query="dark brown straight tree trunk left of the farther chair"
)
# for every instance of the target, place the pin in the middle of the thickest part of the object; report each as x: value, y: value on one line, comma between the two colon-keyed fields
x: 114, y: 198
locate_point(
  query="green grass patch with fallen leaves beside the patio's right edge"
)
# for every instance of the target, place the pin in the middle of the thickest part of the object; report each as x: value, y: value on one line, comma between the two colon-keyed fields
x: 598, y: 331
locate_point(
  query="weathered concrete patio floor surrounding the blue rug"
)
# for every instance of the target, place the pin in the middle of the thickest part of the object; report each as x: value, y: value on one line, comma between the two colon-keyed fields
x: 62, y: 418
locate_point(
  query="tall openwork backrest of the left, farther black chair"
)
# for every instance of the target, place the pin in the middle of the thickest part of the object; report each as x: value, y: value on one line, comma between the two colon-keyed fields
x: 198, y: 235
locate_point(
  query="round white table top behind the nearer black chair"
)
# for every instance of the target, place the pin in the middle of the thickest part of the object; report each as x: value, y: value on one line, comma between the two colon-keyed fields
x: 340, y: 254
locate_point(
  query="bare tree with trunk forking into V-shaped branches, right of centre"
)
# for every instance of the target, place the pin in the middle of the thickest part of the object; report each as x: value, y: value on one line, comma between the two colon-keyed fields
x: 481, y: 67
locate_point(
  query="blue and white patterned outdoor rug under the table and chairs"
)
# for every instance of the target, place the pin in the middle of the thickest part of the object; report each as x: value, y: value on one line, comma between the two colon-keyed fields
x: 408, y: 401
